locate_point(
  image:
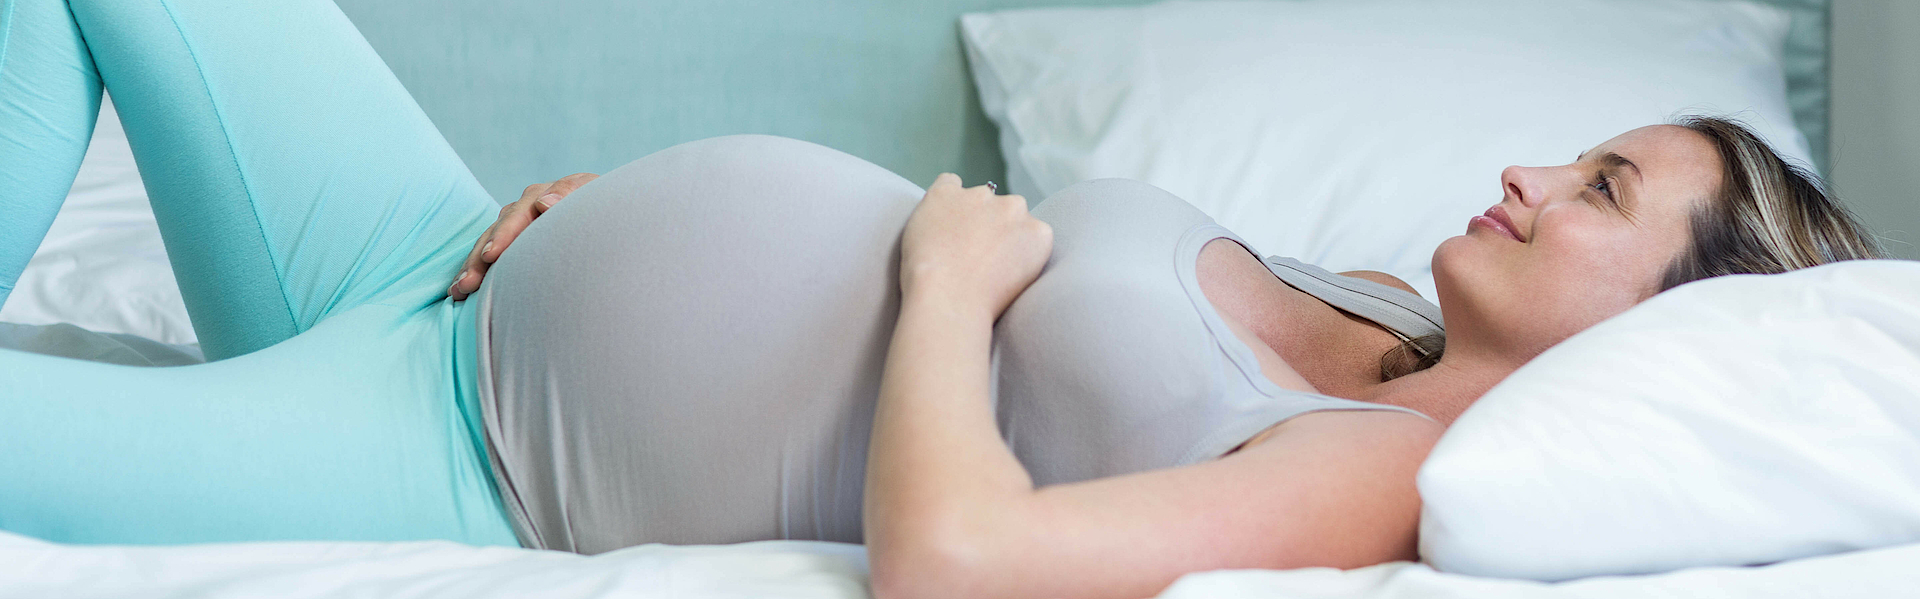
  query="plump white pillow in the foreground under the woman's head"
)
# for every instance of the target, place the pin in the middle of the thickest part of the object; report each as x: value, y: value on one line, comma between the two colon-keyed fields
x: 1733, y: 421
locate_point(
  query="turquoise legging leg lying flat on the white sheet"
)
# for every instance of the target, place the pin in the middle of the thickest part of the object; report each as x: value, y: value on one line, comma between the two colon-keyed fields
x: 293, y: 443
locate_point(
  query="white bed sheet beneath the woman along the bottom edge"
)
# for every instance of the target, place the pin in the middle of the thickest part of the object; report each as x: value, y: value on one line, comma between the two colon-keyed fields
x: 800, y: 569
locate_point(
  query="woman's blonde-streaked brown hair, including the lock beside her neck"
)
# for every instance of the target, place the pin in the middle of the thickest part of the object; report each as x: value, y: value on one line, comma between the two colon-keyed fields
x: 1769, y: 216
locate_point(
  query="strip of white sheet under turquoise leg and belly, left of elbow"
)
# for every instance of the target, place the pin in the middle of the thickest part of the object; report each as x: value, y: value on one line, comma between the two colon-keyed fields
x: 429, y: 569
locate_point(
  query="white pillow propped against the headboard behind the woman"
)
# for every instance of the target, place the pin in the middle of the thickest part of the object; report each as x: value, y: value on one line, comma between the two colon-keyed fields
x: 1358, y: 133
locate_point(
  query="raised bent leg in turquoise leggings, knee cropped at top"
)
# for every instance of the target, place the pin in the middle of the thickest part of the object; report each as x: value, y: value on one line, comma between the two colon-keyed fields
x: 291, y: 174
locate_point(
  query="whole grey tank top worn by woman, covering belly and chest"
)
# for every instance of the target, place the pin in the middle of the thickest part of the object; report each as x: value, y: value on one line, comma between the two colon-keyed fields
x: 673, y: 358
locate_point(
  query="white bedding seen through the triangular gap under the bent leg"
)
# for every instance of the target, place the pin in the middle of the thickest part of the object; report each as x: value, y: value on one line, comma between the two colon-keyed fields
x: 103, y: 266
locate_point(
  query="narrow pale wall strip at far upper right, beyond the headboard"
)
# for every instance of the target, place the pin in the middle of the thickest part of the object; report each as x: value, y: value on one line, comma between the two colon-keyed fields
x: 1877, y: 116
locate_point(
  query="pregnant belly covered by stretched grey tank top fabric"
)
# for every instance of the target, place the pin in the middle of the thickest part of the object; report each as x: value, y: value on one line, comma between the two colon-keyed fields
x: 688, y: 350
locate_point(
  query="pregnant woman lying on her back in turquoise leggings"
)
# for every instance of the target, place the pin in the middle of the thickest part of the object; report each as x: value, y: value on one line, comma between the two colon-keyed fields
x: 756, y: 339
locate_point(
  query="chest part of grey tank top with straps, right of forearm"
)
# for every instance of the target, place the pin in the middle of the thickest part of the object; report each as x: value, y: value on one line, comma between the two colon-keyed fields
x: 1115, y: 362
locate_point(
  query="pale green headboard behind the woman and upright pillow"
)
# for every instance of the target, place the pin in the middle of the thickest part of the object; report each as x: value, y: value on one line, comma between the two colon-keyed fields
x: 531, y: 91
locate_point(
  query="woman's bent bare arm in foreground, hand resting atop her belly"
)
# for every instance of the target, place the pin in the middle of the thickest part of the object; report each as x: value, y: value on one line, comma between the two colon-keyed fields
x: 951, y: 512
